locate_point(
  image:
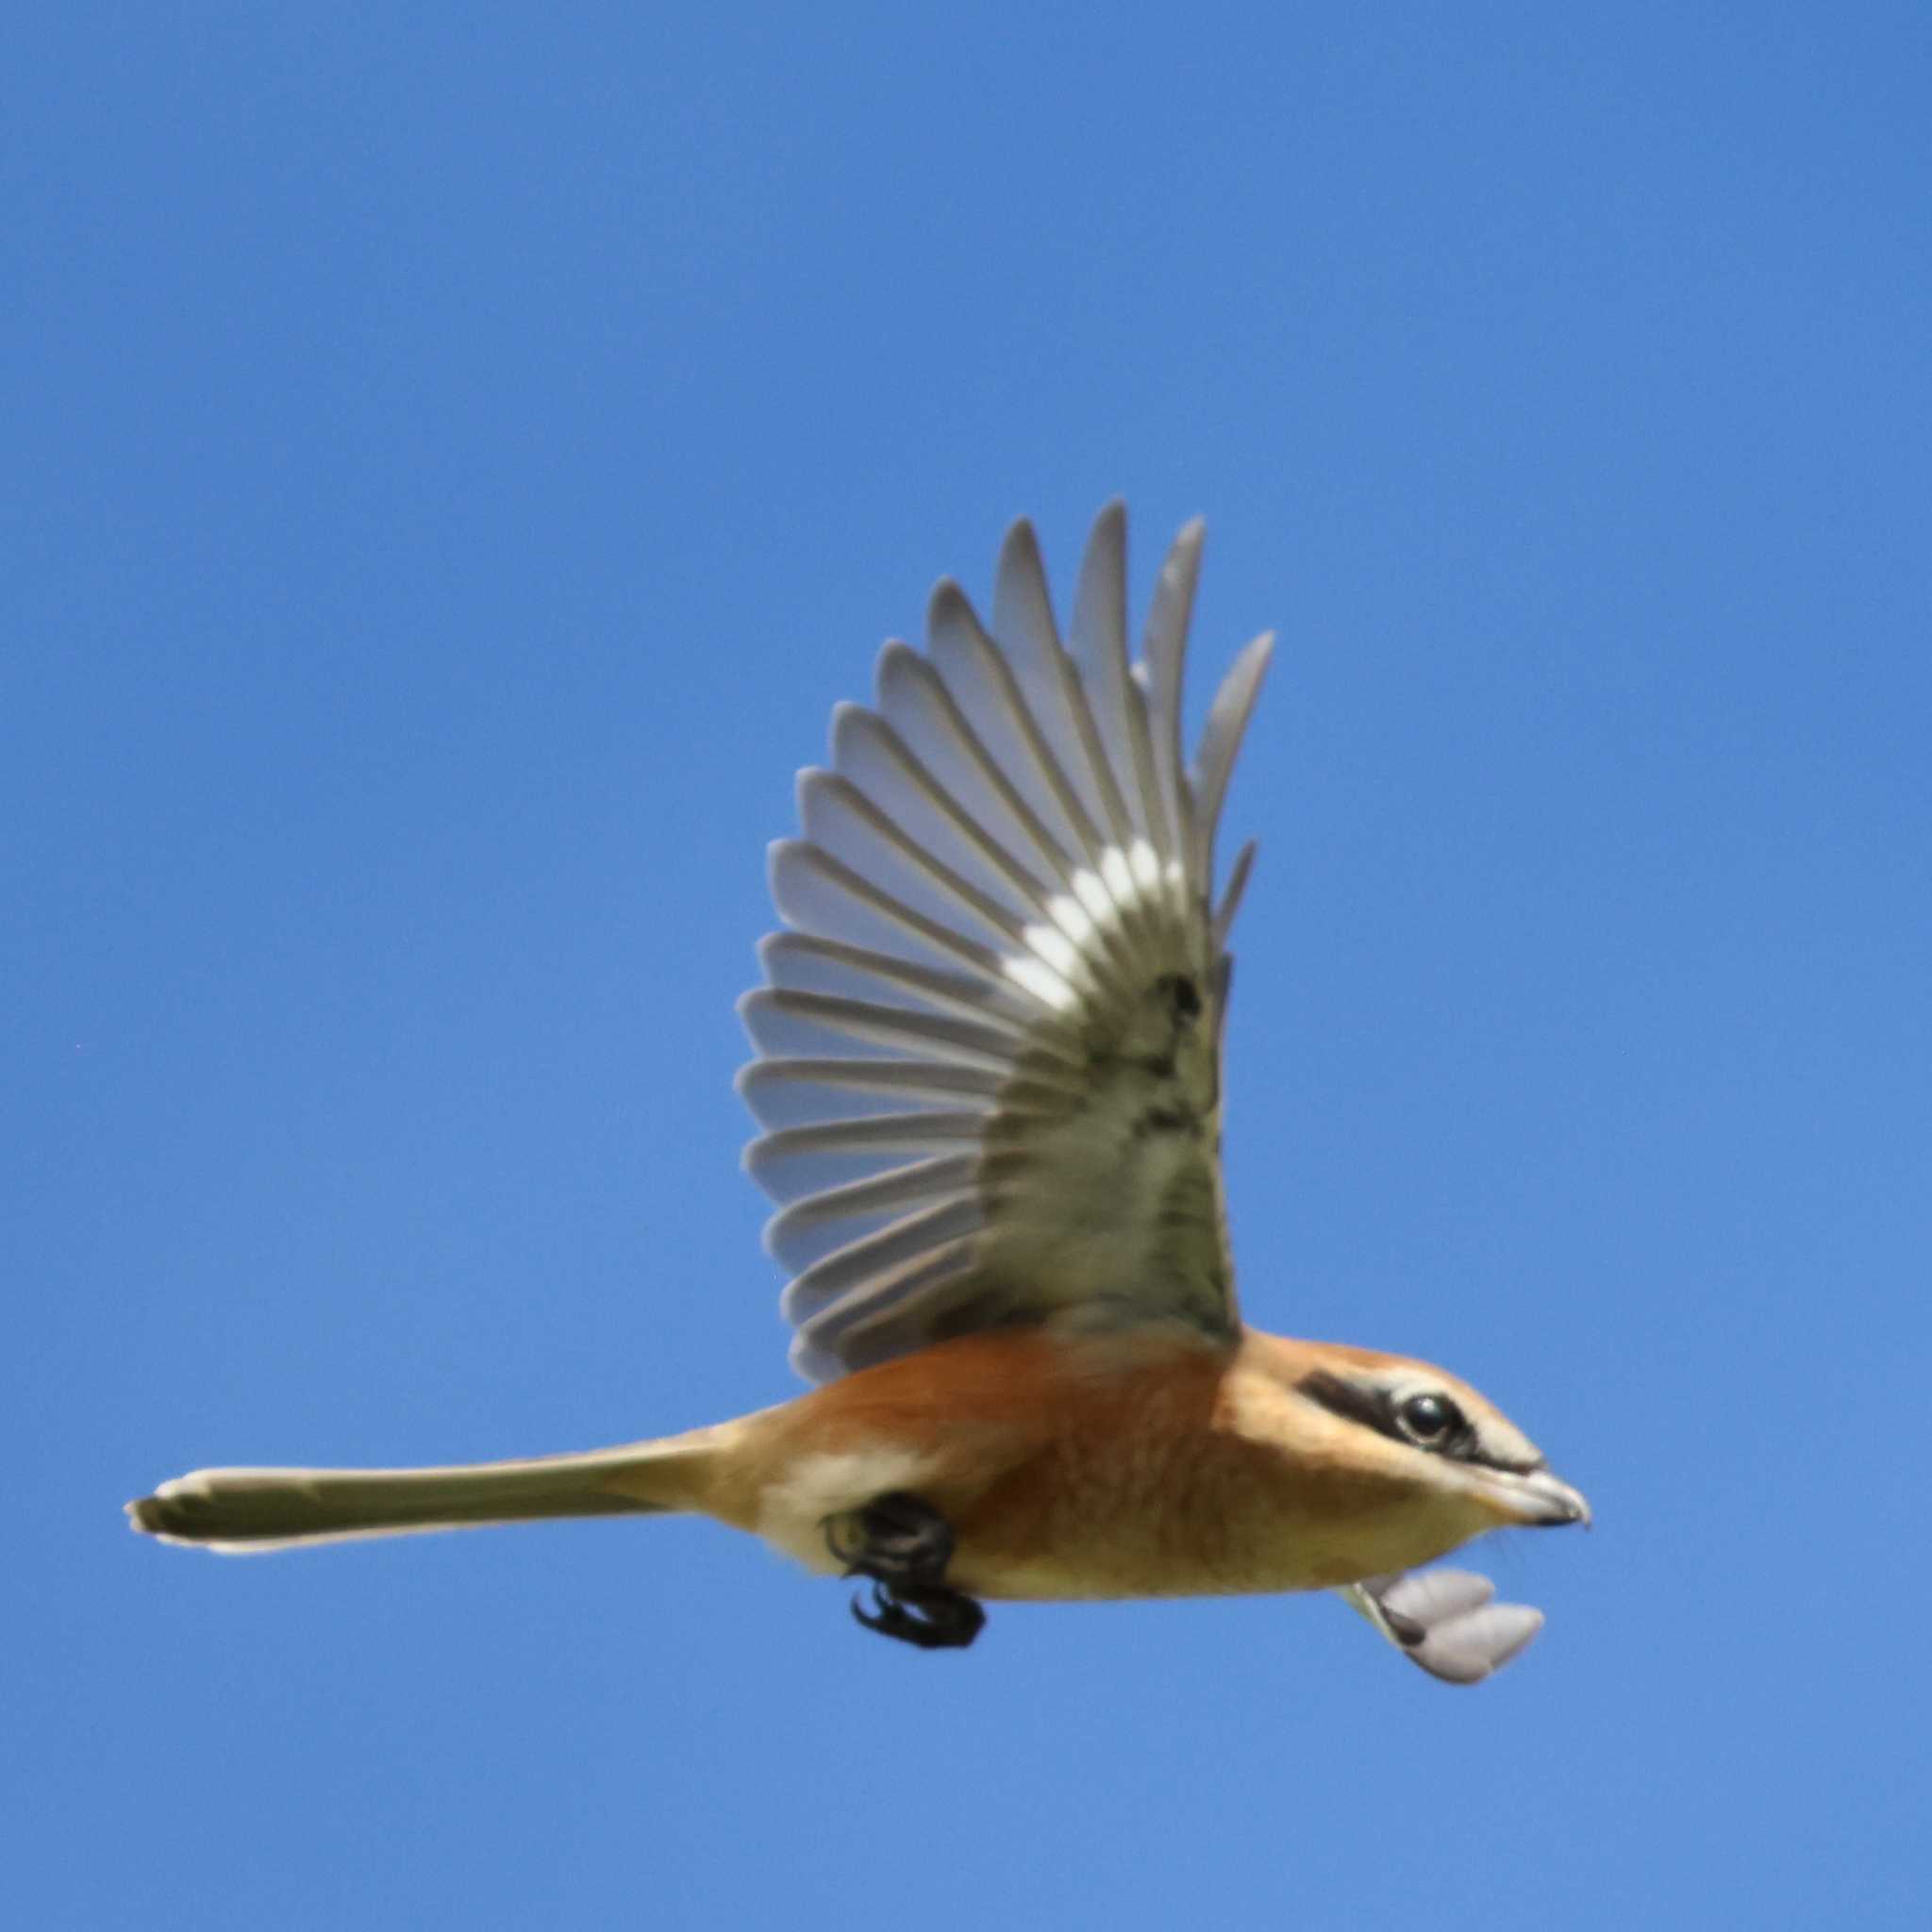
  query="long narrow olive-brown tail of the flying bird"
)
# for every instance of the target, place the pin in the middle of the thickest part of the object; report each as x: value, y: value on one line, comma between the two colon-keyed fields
x: 242, y: 1510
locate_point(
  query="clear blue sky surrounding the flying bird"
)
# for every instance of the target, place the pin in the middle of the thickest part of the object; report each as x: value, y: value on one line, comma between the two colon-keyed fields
x: 453, y: 463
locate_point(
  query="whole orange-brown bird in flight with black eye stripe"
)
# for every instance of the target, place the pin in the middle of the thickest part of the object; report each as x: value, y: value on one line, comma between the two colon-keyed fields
x: 988, y: 1081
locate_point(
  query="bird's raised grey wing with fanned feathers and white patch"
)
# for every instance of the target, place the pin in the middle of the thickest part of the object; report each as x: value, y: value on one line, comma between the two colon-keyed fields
x: 988, y: 1046
